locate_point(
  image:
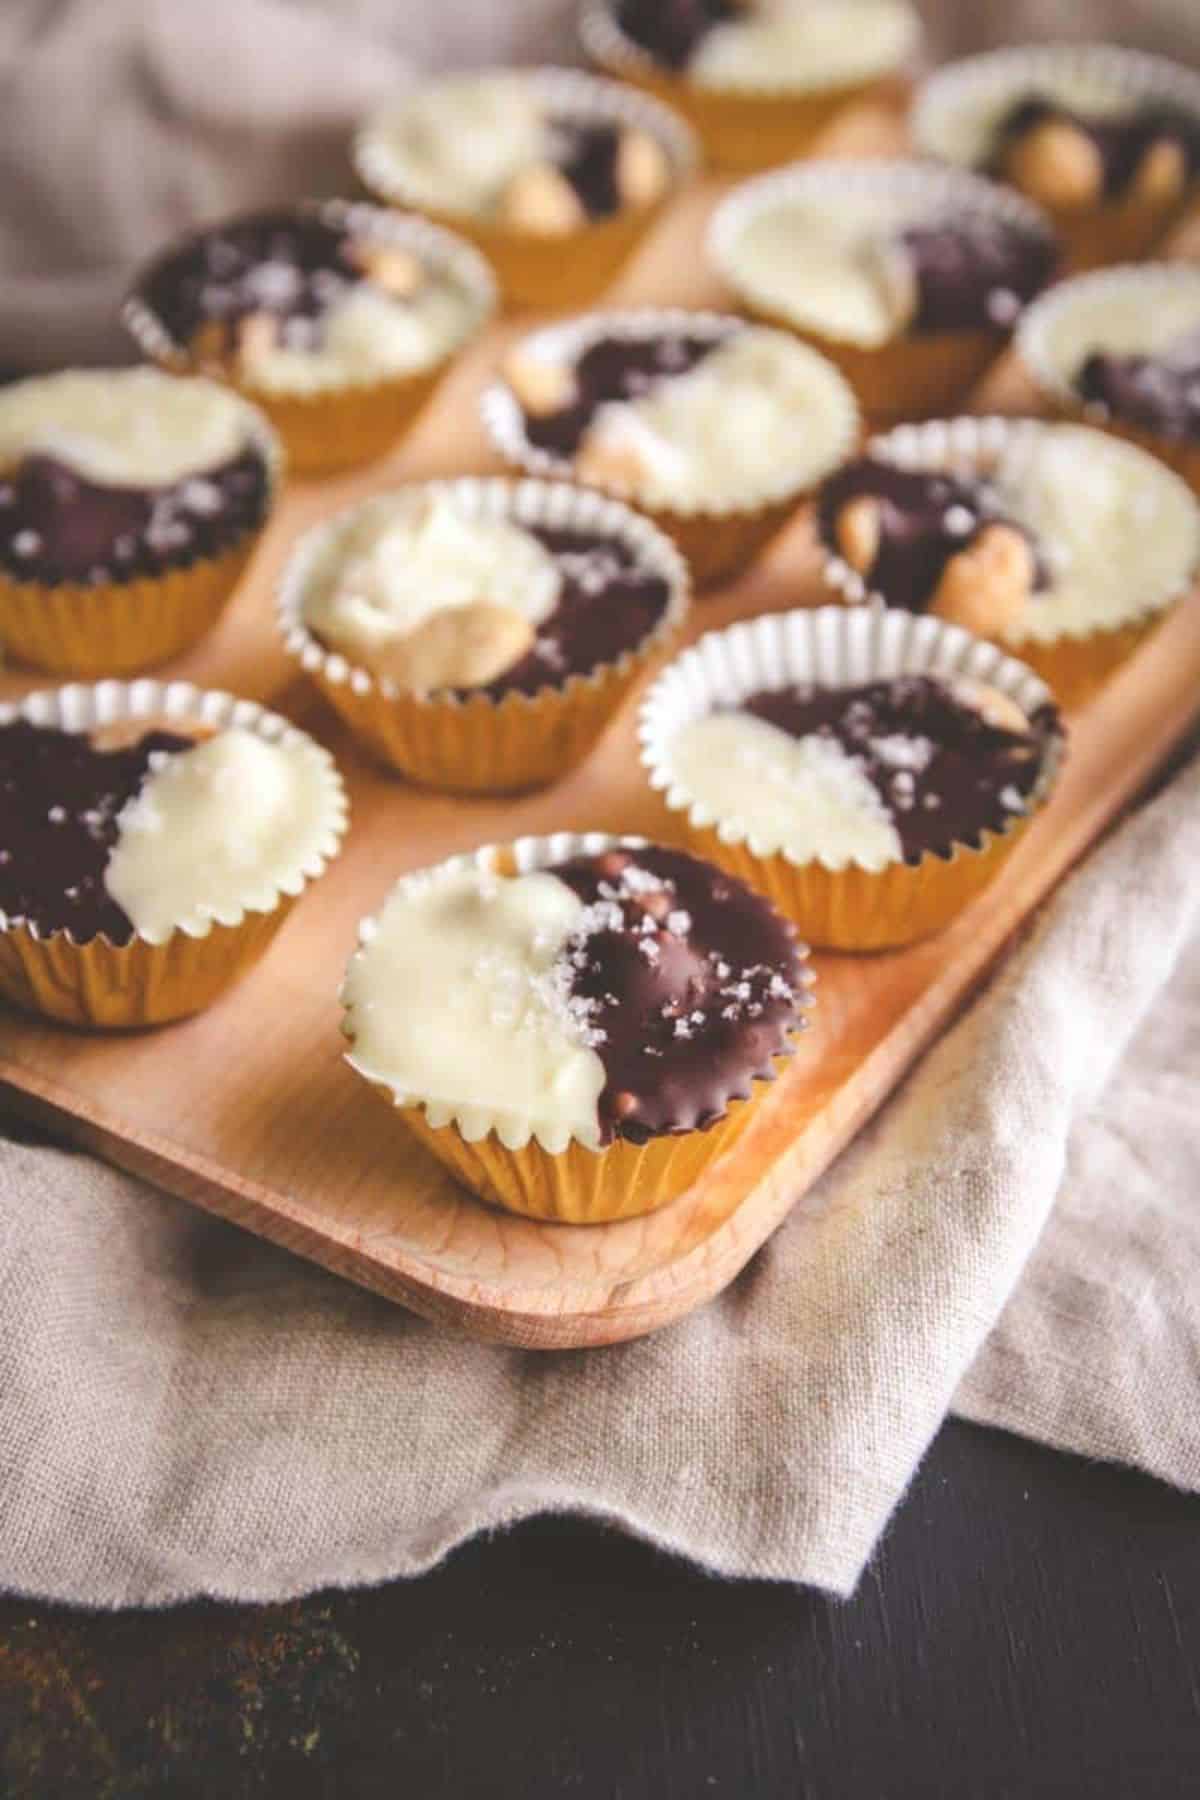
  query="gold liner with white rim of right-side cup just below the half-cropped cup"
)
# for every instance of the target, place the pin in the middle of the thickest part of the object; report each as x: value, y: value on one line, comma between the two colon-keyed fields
x: 1077, y: 661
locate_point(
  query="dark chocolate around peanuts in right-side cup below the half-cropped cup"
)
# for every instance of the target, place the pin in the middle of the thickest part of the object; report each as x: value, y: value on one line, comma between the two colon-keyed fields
x: 917, y: 541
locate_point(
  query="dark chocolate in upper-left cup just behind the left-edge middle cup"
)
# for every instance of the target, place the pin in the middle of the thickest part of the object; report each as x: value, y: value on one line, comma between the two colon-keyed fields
x: 291, y: 264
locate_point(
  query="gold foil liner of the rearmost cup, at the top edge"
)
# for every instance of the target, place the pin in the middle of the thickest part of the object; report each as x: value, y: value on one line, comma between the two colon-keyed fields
x: 740, y: 129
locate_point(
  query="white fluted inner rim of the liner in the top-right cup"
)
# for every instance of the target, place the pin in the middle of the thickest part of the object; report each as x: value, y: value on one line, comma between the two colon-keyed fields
x: 980, y: 91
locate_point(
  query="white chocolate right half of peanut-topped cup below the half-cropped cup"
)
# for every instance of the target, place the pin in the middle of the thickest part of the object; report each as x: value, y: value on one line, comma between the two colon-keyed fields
x: 1115, y: 528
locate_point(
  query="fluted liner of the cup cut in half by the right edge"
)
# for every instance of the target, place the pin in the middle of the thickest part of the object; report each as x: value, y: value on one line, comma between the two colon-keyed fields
x: 1055, y: 339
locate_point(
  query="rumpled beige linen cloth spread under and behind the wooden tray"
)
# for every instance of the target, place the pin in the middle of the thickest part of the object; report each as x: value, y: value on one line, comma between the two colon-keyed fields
x: 1017, y: 1237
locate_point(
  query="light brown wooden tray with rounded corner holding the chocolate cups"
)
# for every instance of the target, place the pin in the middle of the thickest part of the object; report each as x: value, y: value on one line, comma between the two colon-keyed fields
x: 251, y: 1111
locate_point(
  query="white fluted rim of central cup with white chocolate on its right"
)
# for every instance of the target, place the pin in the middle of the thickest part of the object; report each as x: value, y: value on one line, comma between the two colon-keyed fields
x: 569, y: 339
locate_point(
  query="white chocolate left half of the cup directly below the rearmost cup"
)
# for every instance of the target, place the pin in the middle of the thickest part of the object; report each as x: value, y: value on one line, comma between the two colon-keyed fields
x: 823, y: 265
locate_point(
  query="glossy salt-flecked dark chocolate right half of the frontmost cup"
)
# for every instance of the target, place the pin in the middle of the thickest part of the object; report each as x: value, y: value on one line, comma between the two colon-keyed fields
x: 681, y: 1038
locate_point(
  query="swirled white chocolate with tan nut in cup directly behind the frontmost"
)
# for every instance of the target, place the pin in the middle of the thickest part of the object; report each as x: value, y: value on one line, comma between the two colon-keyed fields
x: 397, y: 564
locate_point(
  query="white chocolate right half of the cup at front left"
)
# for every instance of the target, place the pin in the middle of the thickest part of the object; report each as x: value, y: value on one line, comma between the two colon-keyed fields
x: 217, y: 831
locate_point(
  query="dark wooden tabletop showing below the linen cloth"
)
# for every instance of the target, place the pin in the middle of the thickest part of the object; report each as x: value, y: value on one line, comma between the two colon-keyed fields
x: 1030, y: 1628
